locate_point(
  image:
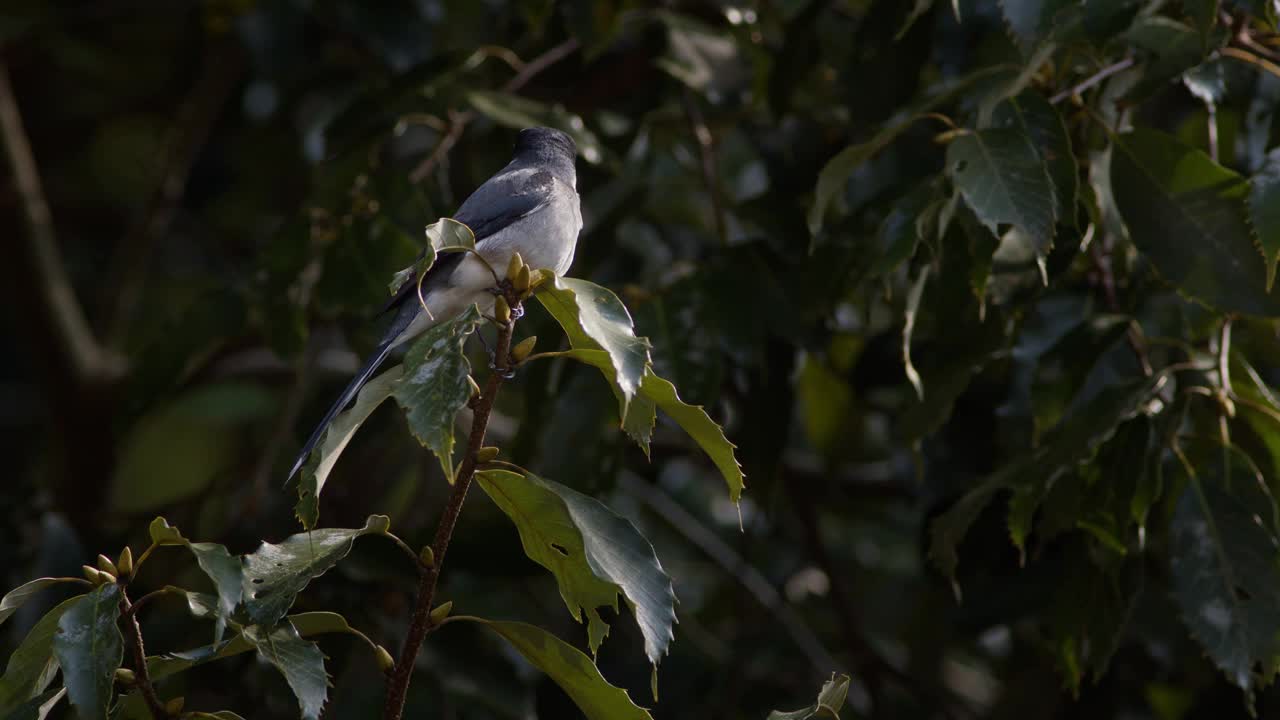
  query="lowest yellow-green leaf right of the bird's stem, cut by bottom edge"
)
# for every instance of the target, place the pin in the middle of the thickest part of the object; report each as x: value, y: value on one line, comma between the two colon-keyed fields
x: 573, y: 671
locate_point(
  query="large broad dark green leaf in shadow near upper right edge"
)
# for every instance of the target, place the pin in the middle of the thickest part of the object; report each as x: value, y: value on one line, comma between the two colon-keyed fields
x: 1187, y: 216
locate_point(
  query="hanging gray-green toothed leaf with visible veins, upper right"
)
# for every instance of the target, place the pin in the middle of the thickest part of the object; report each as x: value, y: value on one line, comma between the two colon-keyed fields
x: 1004, y: 180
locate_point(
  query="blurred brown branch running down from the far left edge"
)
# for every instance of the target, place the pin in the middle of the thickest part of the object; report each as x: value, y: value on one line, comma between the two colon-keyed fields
x: 57, y: 299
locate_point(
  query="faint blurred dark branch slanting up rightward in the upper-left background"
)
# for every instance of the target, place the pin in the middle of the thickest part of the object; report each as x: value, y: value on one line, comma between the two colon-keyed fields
x: 190, y: 133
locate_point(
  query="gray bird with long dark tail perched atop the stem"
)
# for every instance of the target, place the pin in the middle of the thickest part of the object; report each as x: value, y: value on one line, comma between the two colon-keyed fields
x: 531, y: 207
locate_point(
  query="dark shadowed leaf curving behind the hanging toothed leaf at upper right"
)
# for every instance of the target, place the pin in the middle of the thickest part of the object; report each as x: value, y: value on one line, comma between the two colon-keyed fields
x: 1037, y: 120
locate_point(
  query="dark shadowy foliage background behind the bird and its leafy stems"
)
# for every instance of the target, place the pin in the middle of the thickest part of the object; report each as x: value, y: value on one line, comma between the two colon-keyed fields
x: 232, y: 184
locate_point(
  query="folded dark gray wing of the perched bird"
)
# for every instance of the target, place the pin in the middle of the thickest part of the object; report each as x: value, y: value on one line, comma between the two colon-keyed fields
x: 502, y: 200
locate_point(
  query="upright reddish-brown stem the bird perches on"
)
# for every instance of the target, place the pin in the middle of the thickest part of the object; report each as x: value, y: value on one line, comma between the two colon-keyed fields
x: 420, y: 623
